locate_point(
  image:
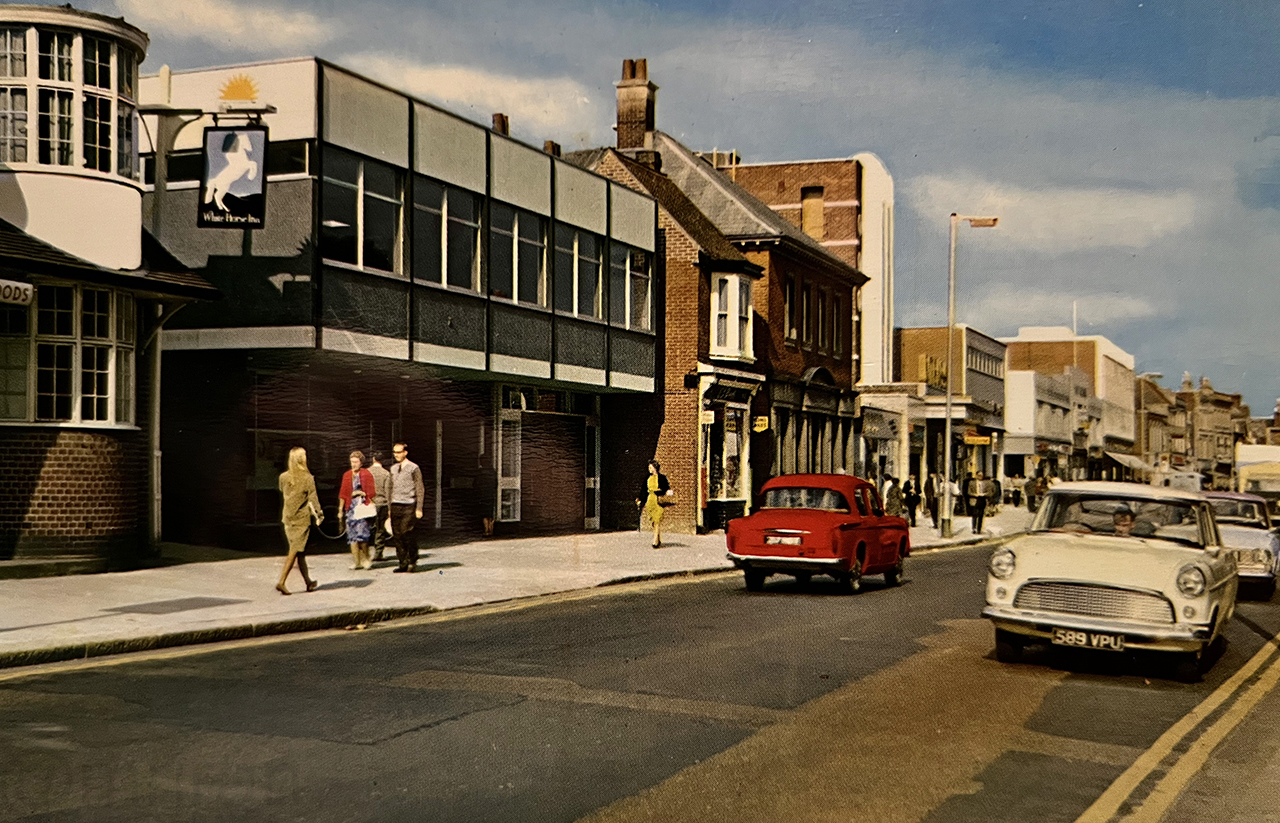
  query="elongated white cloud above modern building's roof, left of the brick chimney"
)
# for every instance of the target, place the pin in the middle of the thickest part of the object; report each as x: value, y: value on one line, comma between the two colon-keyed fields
x: 542, y: 107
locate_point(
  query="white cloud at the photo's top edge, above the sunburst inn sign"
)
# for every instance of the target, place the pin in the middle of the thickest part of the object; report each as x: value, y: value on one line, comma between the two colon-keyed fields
x: 227, y: 24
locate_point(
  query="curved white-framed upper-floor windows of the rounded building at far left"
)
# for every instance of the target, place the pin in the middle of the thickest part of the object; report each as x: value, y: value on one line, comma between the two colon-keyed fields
x: 81, y: 100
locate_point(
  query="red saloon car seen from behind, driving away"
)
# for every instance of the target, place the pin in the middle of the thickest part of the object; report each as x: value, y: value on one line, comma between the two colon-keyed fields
x: 820, y: 525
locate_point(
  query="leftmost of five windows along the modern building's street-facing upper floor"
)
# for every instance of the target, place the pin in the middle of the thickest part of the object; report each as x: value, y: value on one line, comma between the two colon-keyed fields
x: 360, y: 212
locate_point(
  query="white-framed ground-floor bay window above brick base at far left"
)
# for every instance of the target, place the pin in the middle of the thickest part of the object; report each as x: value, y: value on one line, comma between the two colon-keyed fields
x: 76, y: 364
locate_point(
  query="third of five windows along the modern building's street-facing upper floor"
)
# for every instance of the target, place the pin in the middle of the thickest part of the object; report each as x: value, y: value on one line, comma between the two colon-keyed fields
x: 518, y: 255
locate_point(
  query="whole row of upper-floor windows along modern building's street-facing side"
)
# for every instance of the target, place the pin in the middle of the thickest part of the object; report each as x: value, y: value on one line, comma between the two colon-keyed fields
x: 527, y: 259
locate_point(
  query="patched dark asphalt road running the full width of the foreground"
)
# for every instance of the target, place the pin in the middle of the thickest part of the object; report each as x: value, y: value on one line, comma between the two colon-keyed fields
x: 671, y: 701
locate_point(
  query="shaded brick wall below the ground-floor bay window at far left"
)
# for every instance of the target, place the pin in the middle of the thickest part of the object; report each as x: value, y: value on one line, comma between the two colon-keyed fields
x: 72, y: 492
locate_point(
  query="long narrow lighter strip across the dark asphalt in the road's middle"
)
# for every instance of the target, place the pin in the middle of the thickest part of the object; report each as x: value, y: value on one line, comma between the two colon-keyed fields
x: 569, y: 692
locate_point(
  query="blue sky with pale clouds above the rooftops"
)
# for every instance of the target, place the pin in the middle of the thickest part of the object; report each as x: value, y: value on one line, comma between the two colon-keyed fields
x: 1131, y: 149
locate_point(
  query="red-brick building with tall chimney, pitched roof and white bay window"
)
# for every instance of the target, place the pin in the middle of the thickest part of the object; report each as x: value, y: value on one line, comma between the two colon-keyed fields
x: 761, y: 353
